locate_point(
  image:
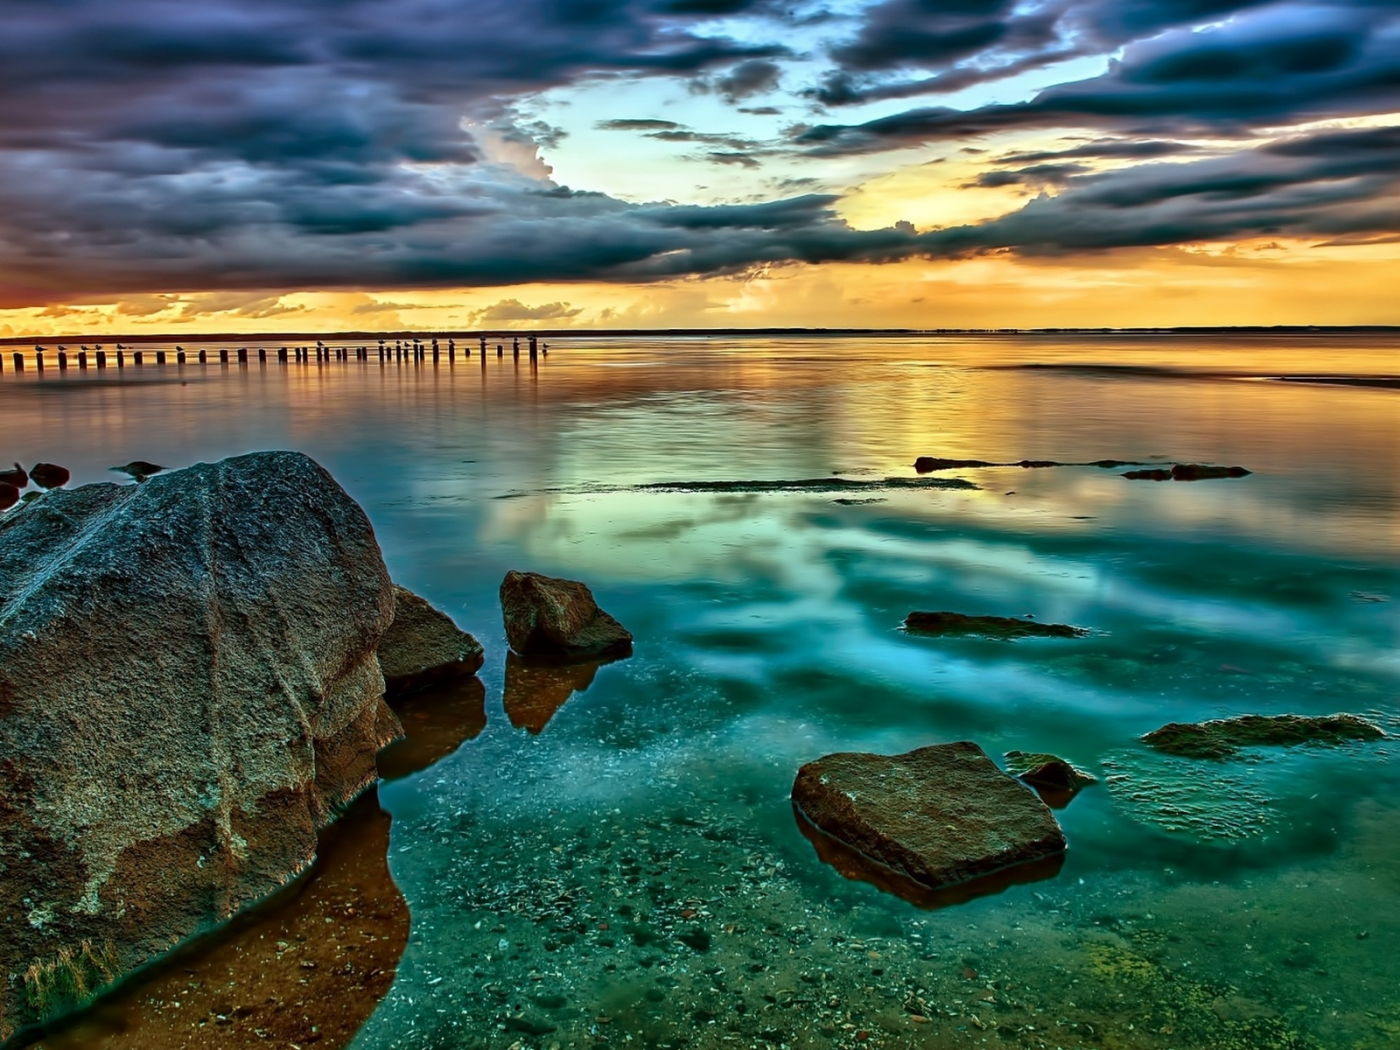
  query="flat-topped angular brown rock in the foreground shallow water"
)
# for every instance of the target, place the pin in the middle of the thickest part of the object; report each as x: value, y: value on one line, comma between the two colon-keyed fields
x: 940, y: 815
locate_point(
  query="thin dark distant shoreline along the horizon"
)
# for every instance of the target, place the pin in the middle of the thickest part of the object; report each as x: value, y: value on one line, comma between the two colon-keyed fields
x: 75, y: 341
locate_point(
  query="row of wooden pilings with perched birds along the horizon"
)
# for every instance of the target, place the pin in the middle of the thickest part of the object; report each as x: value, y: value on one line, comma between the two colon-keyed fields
x: 400, y: 352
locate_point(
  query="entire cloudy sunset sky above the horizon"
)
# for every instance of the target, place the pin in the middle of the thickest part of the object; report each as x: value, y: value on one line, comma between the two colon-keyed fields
x: 316, y: 166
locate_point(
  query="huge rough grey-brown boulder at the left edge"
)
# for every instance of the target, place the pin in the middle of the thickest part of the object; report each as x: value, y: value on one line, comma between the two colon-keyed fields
x: 188, y: 692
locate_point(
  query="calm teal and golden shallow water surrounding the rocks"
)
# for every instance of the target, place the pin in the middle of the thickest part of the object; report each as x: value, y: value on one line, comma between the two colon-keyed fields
x: 614, y: 860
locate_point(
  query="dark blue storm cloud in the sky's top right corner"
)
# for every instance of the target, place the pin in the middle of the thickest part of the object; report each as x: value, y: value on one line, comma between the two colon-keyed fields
x: 1276, y: 65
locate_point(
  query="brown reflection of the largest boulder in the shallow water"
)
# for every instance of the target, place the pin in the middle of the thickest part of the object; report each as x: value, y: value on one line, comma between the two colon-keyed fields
x: 304, y: 968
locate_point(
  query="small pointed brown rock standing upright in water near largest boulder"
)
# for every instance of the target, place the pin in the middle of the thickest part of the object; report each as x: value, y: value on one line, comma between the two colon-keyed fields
x: 558, y: 619
